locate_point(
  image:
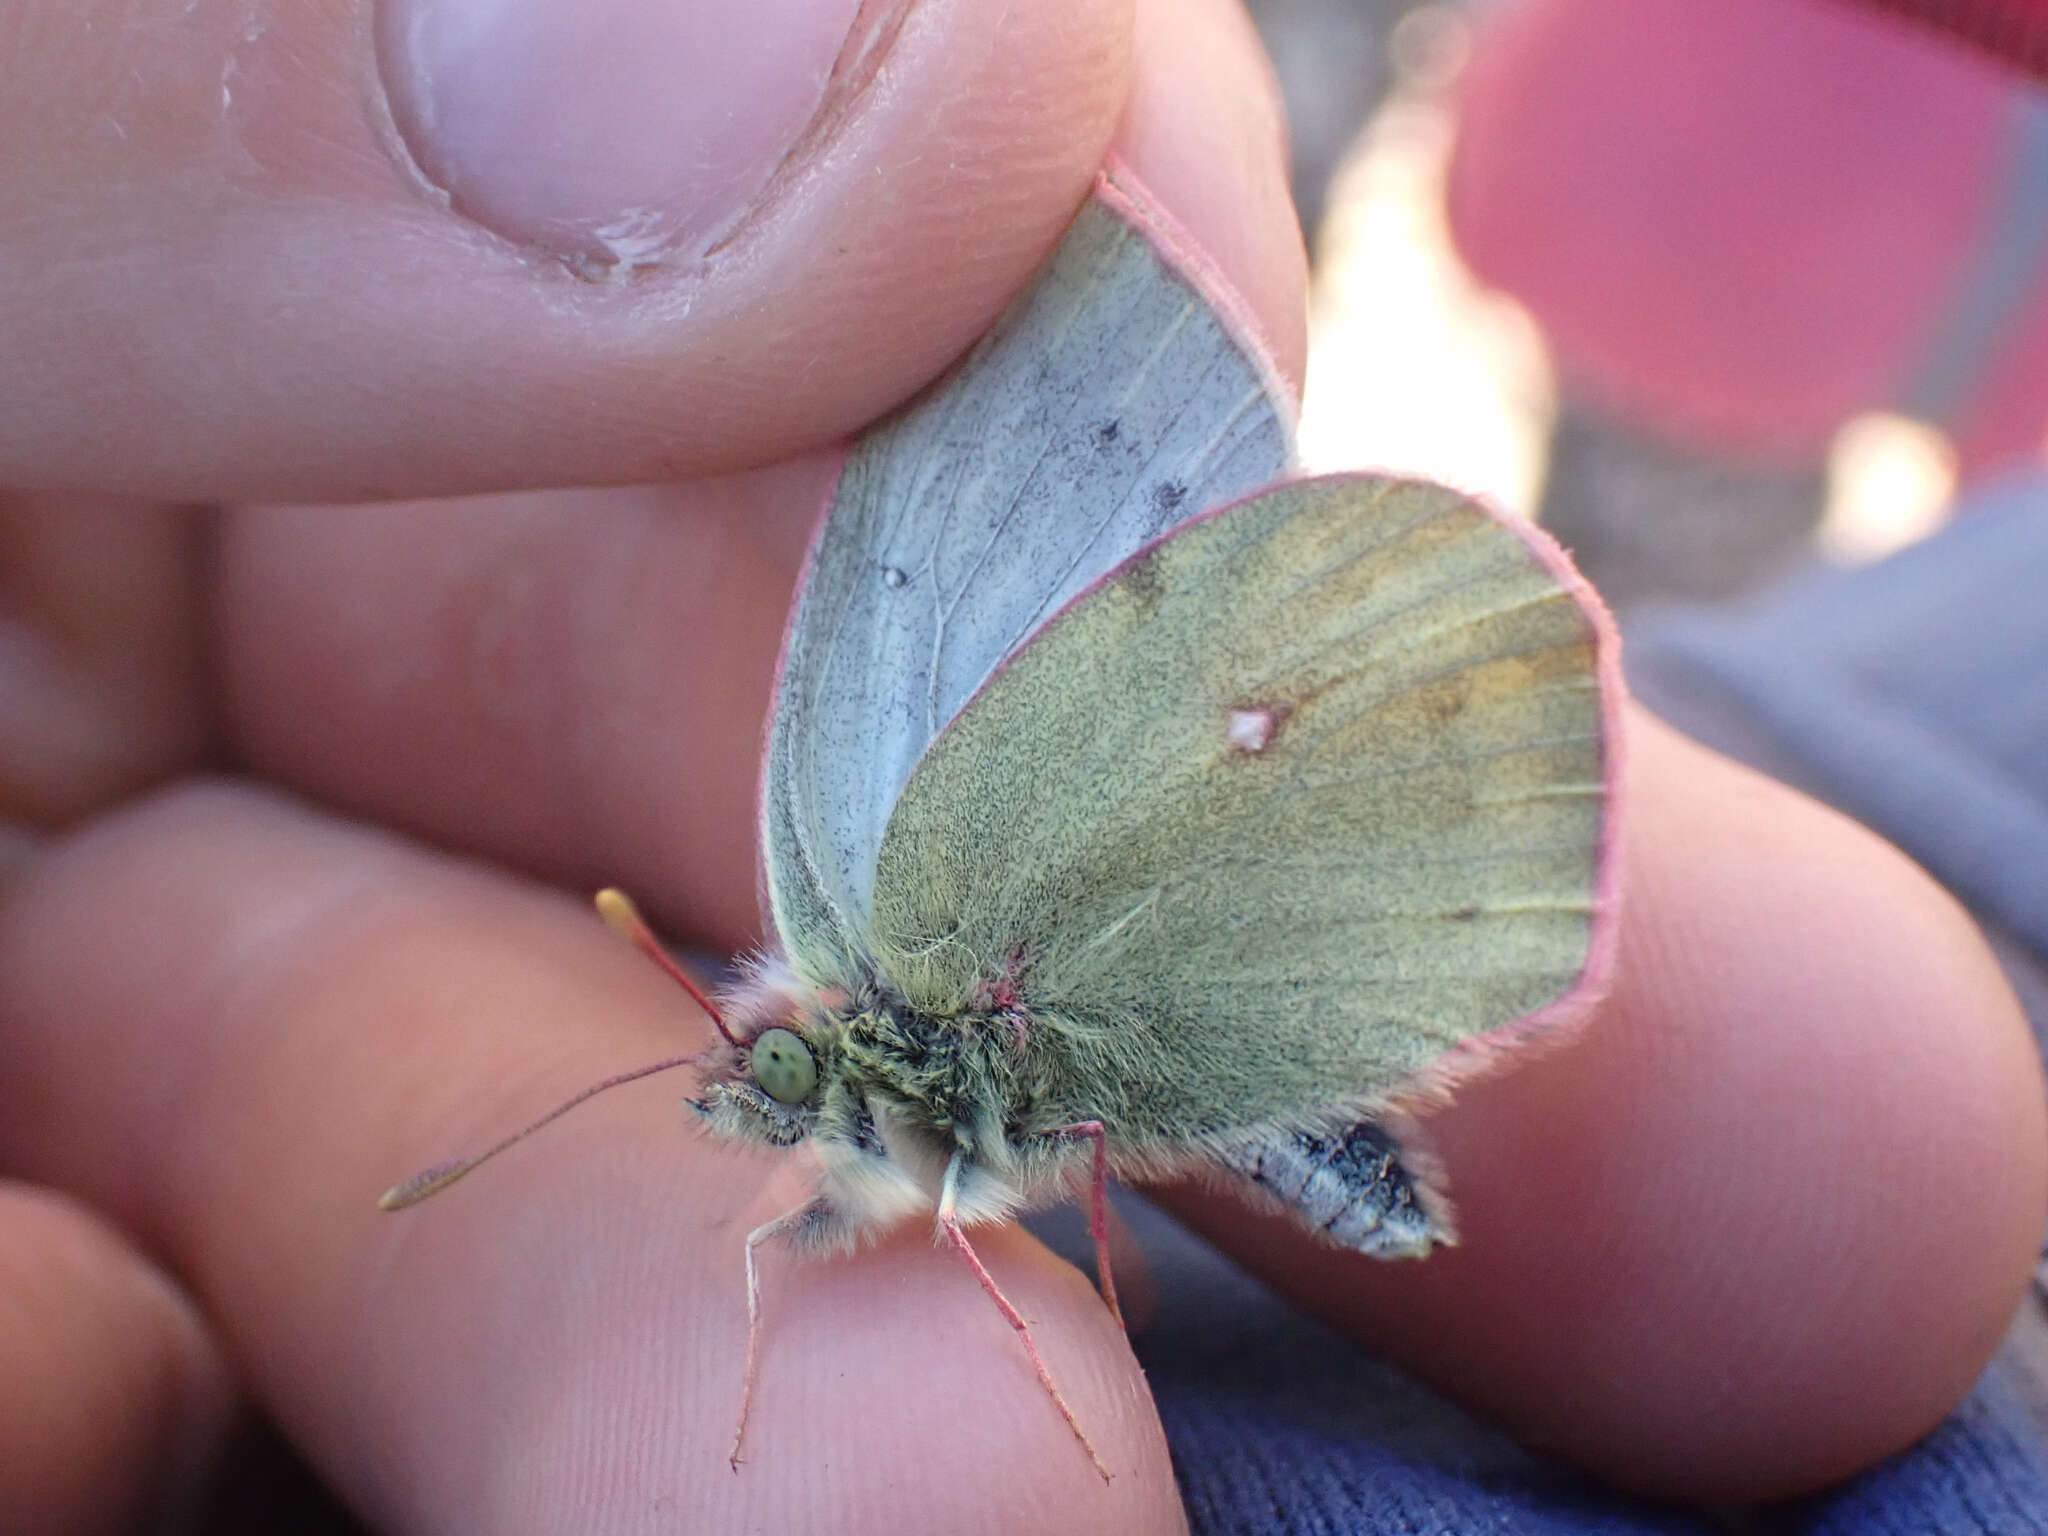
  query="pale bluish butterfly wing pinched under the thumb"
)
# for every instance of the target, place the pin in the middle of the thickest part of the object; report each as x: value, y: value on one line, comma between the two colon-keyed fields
x: 1111, y: 404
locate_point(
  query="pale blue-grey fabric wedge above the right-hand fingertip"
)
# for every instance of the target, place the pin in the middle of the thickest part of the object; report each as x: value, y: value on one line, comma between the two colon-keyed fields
x: 1914, y: 695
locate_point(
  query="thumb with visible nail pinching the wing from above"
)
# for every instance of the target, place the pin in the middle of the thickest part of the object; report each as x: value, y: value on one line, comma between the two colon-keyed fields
x: 282, y: 253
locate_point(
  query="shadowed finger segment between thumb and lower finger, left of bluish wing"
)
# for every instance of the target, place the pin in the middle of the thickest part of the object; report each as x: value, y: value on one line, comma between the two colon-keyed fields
x: 570, y: 683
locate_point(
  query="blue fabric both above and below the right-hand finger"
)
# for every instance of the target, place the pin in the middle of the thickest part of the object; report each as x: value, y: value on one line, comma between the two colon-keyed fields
x: 1912, y: 695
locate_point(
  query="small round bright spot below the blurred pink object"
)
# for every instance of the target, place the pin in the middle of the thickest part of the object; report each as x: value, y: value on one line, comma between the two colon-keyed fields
x: 1889, y: 482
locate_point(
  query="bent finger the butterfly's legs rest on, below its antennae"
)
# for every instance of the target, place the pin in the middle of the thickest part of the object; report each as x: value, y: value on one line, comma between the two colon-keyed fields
x: 304, y: 1013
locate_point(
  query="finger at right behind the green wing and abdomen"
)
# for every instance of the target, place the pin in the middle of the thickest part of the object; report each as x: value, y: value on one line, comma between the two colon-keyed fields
x: 1770, y: 1215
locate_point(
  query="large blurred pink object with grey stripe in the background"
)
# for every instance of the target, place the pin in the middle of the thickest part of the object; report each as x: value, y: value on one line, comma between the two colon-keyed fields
x: 1746, y: 222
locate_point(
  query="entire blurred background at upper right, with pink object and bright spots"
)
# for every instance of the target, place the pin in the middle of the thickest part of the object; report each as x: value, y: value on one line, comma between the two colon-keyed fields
x: 1713, y: 292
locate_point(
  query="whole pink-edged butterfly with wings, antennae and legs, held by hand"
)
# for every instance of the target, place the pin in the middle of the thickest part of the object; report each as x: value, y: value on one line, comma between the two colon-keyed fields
x: 1134, y: 810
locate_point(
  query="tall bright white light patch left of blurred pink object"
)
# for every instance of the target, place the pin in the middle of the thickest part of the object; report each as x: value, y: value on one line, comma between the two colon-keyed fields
x: 1412, y: 366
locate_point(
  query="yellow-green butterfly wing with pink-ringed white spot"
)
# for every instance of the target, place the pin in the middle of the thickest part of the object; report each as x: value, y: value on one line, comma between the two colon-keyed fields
x: 1291, y: 806
